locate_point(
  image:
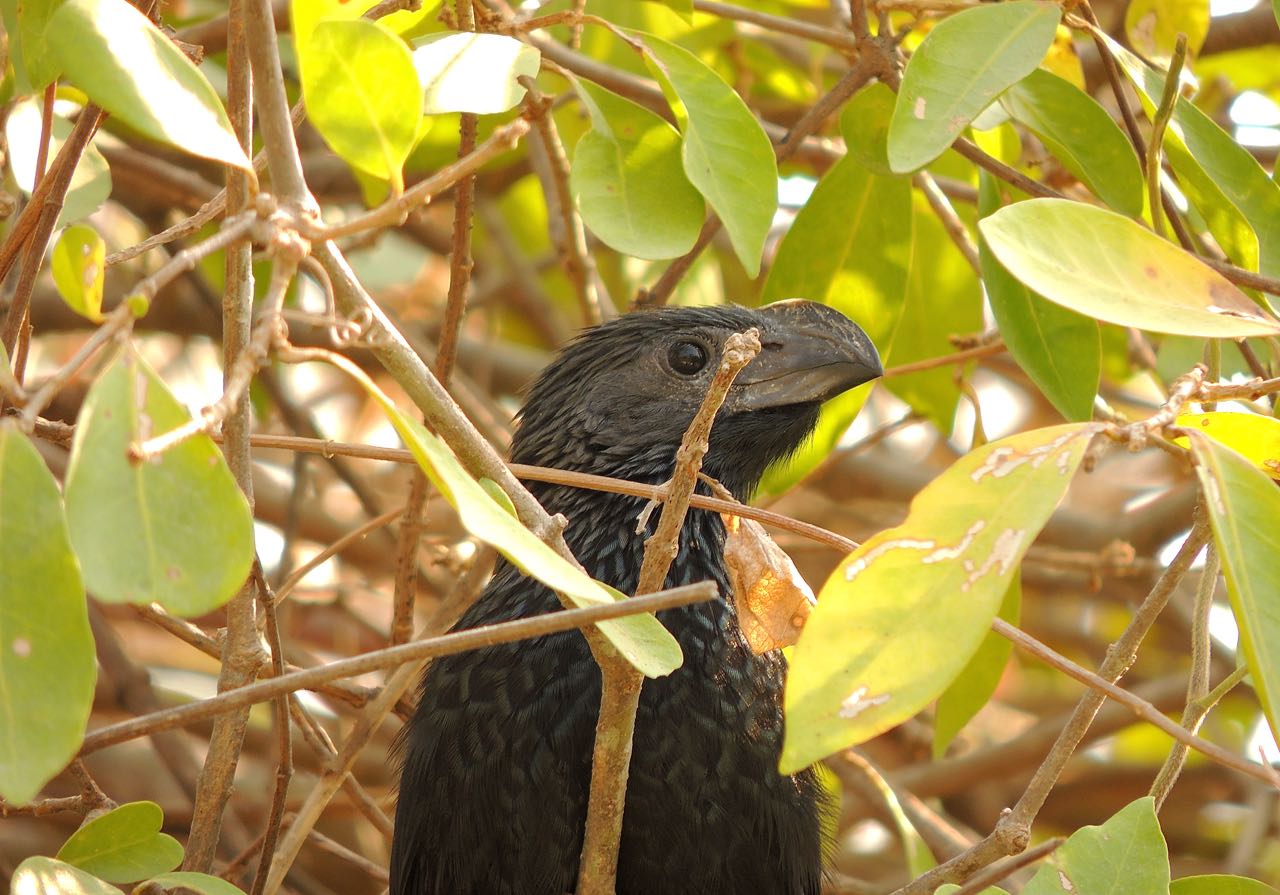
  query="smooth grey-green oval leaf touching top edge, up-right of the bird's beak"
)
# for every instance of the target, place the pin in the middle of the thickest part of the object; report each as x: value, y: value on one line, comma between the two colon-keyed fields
x: 964, y: 63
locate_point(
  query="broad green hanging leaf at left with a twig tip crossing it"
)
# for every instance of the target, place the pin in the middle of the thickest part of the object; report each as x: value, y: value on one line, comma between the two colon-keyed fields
x: 175, y: 529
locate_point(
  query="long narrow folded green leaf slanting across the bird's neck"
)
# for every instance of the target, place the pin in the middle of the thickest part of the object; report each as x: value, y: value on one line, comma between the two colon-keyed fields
x: 642, y: 640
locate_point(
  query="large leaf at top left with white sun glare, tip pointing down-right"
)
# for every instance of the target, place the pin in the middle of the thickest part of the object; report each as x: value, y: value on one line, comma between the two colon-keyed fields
x: 127, y: 66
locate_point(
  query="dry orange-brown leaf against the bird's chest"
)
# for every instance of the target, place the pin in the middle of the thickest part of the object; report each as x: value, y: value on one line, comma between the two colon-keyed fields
x: 774, y: 601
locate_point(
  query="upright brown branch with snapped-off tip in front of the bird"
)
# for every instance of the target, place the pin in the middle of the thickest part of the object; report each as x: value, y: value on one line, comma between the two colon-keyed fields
x: 621, y: 683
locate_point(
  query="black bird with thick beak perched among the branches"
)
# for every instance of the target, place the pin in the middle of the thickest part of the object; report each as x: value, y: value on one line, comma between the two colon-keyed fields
x: 497, y: 759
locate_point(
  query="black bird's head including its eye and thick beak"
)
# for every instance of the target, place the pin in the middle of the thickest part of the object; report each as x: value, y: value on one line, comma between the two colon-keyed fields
x: 619, y: 399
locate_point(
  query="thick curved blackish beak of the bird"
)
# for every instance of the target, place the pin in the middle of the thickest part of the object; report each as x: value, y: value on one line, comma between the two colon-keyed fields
x: 811, y: 353
